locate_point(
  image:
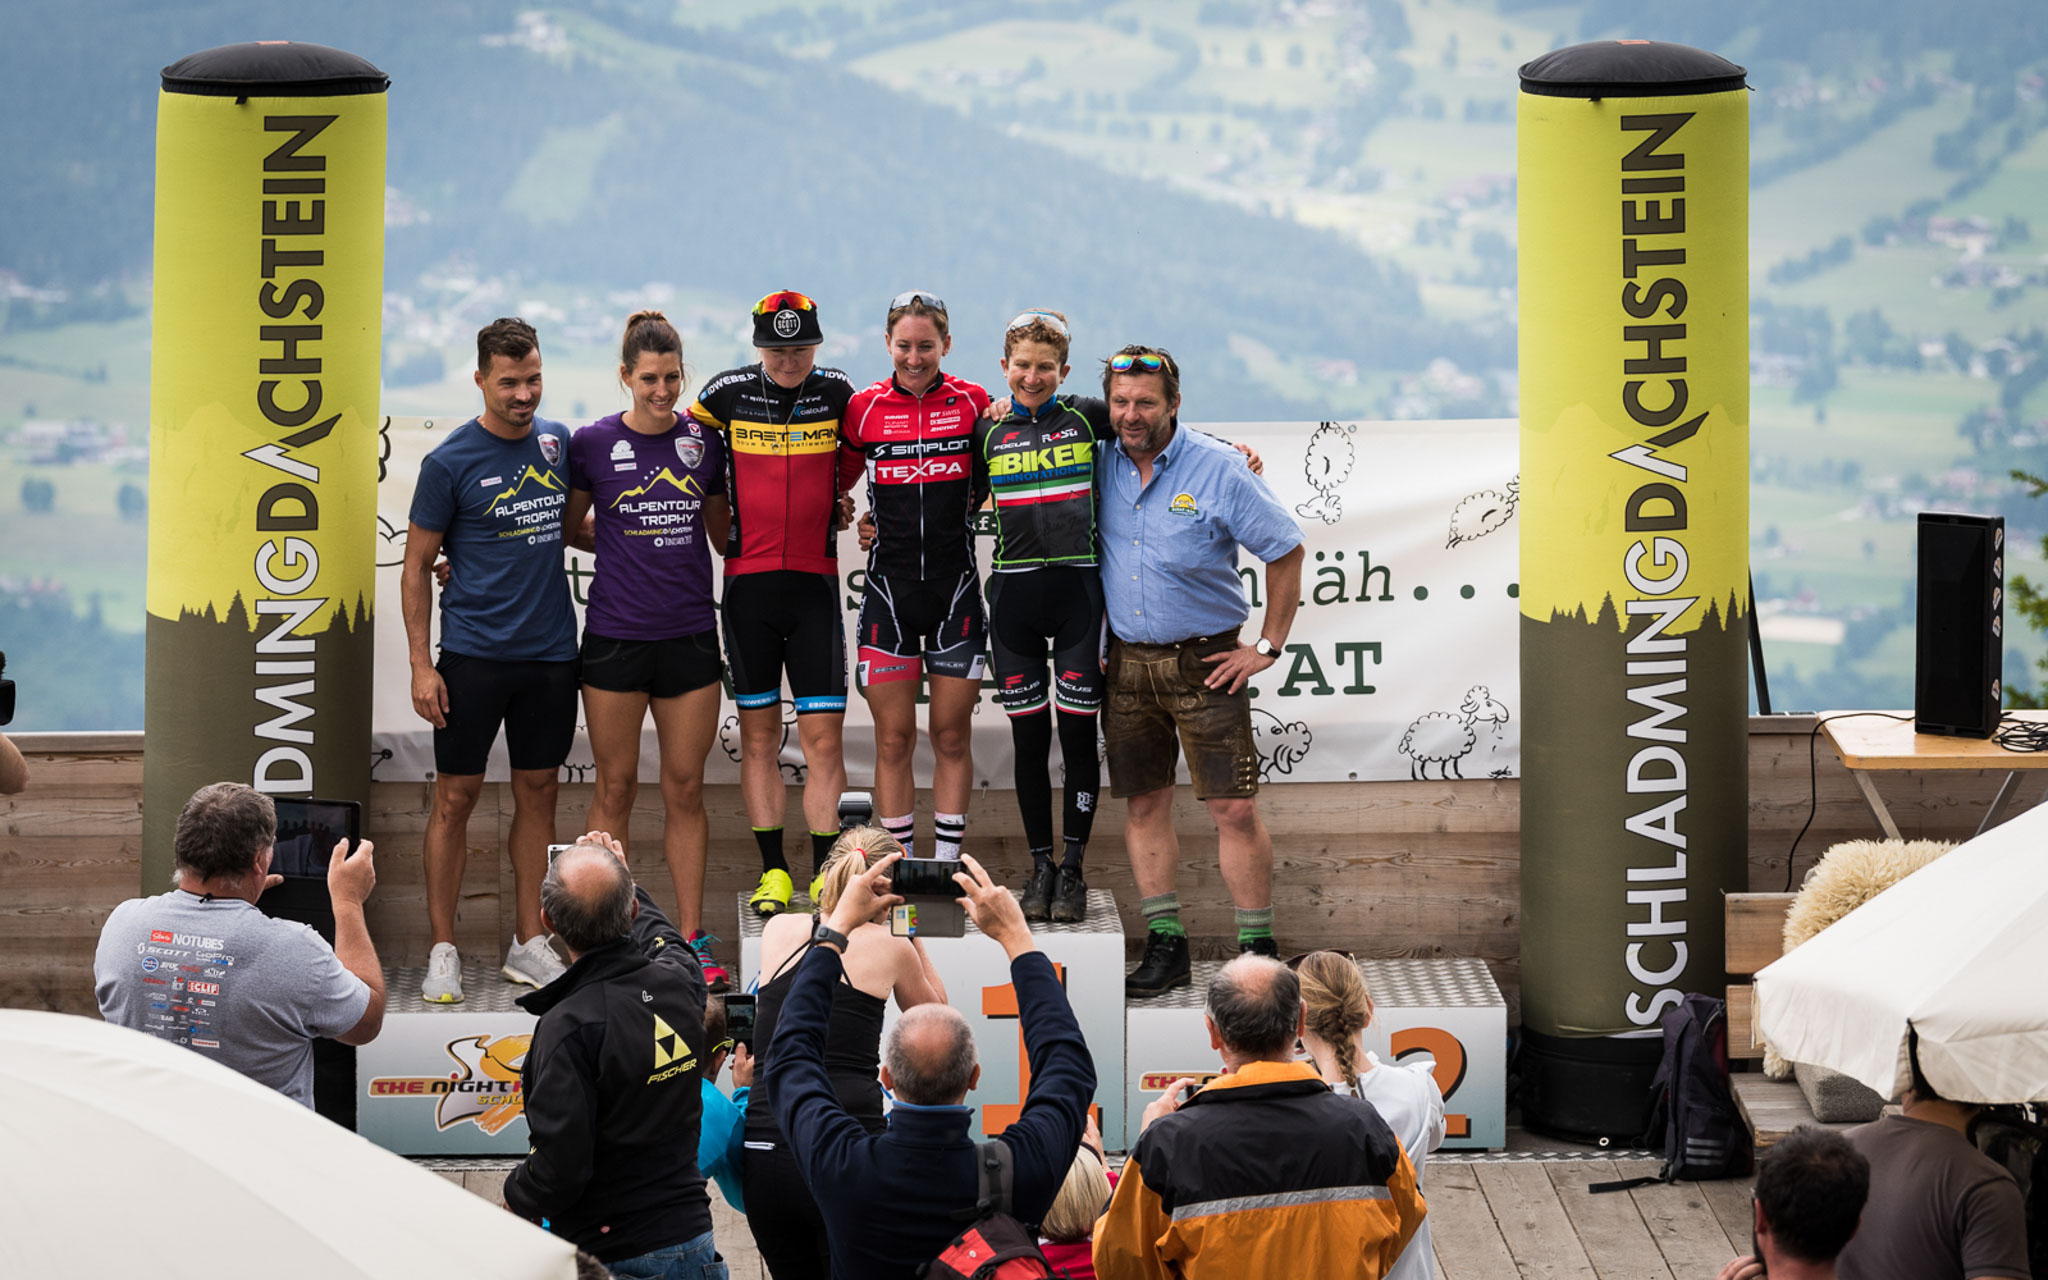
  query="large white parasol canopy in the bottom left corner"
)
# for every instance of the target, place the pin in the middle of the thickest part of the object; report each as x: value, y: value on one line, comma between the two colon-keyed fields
x: 130, y: 1156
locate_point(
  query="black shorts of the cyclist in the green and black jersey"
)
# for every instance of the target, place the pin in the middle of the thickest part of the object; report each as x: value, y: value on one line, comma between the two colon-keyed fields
x: 1043, y: 613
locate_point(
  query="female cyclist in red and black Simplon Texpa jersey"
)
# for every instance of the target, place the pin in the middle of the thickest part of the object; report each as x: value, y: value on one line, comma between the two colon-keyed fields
x: 923, y: 605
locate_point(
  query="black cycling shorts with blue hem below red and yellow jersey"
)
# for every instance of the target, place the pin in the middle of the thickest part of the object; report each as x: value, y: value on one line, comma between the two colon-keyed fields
x: 785, y: 622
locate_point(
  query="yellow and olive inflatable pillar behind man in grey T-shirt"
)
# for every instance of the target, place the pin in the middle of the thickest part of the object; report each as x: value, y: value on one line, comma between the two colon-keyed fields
x: 263, y: 429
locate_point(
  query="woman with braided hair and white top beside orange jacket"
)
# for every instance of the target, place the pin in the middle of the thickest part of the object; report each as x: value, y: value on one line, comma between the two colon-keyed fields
x: 1408, y: 1099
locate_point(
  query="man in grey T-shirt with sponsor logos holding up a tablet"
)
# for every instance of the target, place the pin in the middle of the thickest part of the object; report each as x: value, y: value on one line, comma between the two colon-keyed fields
x: 206, y: 970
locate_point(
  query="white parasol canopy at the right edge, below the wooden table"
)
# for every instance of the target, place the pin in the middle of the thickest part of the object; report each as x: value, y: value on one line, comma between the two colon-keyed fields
x: 1957, y: 951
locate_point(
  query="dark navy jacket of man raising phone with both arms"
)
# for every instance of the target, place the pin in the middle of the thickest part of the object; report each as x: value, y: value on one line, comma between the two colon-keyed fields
x: 892, y: 1201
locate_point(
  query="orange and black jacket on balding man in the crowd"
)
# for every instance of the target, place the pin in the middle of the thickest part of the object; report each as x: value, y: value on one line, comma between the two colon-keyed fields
x: 1263, y: 1175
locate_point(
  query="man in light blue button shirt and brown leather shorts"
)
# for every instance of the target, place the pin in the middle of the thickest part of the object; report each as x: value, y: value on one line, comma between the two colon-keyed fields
x: 1175, y: 511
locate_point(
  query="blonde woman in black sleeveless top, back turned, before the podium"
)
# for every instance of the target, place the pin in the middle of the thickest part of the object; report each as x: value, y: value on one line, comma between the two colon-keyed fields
x: 781, y: 1211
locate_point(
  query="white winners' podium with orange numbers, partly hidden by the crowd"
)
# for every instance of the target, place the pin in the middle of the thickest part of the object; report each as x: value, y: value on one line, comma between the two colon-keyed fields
x: 445, y: 1080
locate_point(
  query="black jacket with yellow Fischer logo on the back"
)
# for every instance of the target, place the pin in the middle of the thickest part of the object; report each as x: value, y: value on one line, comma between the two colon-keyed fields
x: 613, y: 1099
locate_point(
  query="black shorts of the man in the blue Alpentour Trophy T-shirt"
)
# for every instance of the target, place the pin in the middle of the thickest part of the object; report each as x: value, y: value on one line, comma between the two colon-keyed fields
x: 534, y: 701
